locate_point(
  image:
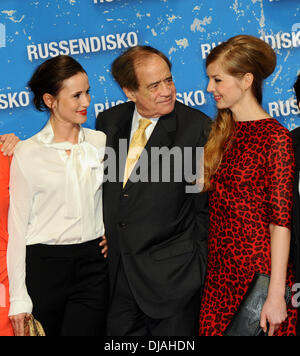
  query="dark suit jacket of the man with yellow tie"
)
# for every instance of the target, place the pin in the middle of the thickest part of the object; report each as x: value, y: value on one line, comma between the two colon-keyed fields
x: 157, y: 229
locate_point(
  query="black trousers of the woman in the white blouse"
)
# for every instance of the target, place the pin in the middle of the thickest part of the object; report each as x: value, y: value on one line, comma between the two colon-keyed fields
x: 68, y: 285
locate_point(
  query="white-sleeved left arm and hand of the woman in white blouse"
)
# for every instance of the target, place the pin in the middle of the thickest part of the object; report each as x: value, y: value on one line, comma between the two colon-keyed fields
x: 18, y: 218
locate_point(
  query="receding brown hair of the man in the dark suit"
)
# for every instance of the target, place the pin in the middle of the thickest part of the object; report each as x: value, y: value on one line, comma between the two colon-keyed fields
x: 123, y: 68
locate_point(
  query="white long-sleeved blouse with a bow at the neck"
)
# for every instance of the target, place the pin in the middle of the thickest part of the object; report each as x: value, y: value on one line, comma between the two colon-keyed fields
x: 55, y: 199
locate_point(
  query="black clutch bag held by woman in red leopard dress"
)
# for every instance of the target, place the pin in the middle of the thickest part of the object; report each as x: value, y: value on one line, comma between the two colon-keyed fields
x: 246, y: 321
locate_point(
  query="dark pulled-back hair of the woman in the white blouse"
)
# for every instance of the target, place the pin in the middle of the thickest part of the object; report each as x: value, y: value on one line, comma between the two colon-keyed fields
x: 49, y: 76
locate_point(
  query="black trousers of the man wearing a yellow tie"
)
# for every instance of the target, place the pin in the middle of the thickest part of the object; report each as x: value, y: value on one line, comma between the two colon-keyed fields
x: 125, y: 318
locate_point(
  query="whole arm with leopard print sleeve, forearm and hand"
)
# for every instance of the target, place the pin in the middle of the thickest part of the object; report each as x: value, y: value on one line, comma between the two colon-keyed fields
x: 280, y: 171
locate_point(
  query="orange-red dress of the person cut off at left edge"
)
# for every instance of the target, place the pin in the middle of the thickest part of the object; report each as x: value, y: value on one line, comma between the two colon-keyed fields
x: 5, y: 325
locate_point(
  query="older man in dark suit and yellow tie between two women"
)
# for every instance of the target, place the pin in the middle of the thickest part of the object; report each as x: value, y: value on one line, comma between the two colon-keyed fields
x: 156, y: 230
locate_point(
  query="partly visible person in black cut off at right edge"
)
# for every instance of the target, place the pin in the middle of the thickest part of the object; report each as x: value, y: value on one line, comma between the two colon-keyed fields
x: 295, y: 249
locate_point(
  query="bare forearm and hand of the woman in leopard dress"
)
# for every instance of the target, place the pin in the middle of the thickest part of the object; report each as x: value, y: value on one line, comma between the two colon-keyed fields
x: 275, y: 310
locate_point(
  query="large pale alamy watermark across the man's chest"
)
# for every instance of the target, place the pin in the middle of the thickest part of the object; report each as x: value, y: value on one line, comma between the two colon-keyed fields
x: 157, y: 165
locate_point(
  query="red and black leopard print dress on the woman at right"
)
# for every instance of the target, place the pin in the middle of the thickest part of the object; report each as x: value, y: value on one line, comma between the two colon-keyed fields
x: 253, y: 188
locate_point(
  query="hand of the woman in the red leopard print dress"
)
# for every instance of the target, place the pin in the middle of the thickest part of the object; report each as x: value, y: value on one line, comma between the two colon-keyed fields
x: 274, y: 312
